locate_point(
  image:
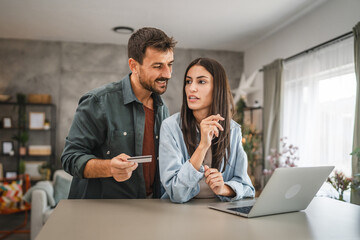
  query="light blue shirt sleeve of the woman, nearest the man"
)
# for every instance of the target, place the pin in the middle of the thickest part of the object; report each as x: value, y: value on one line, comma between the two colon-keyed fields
x: 178, y: 176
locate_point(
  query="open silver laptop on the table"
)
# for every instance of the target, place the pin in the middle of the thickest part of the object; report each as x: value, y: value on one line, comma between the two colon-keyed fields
x: 288, y: 190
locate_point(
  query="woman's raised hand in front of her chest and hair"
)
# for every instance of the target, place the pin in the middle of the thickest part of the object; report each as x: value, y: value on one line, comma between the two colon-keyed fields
x: 209, y: 128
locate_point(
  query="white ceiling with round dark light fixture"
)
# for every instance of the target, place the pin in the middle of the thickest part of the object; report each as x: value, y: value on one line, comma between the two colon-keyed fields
x: 233, y: 25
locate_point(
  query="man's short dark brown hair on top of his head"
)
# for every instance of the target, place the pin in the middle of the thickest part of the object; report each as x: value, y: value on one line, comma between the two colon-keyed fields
x: 148, y: 37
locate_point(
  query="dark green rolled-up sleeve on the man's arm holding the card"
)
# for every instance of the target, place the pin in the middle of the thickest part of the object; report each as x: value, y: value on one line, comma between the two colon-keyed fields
x: 87, y: 131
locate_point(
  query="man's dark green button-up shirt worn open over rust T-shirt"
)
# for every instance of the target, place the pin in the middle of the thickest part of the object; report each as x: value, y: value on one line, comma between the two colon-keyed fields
x: 109, y: 121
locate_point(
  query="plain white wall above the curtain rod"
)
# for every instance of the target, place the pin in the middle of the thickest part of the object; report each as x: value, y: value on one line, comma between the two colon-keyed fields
x: 327, y: 21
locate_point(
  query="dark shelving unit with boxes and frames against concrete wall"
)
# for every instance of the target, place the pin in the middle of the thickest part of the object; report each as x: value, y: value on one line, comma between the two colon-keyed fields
x: 36, y: 136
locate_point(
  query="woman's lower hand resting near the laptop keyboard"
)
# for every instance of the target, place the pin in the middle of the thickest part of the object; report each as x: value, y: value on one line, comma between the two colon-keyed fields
x: 214, y: 179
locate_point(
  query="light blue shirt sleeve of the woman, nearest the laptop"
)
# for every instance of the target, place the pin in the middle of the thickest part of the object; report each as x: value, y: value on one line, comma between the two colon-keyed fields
x: 239, y: 180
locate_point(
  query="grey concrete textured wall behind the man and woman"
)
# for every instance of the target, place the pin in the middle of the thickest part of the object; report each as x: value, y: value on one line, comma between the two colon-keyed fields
x: 67, y: 70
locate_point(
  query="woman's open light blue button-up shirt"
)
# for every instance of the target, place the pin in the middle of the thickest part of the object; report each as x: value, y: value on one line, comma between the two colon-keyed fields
x: 181, y: 180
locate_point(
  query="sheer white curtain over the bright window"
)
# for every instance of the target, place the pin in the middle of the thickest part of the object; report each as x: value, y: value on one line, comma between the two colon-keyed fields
x: 319, y: 103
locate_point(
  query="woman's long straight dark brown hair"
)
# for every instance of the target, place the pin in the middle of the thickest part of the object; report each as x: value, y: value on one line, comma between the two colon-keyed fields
x: 222, y: 104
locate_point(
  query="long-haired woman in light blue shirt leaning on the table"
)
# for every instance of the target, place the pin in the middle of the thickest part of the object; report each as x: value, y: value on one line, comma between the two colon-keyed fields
x: 204, y: 134
